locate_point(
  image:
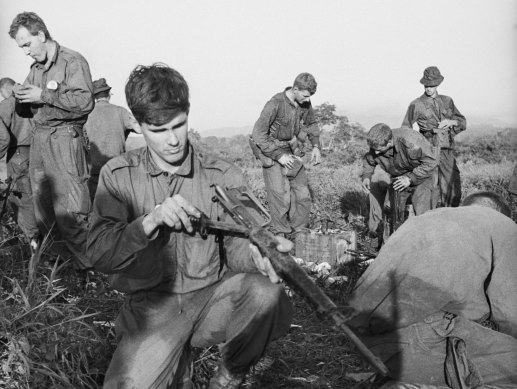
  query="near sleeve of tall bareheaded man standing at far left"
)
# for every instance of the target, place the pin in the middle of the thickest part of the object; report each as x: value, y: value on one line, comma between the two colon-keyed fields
x: 74, y: 96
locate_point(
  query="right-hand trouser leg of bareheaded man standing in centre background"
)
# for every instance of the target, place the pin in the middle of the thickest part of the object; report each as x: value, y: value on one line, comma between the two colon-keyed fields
x: 300, y: 210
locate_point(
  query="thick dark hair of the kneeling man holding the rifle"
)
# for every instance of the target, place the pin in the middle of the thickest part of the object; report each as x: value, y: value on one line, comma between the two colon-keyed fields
x: 156, y: 94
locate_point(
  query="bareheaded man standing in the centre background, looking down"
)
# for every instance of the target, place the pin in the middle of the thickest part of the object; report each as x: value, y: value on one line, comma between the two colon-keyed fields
x: 285, y: 123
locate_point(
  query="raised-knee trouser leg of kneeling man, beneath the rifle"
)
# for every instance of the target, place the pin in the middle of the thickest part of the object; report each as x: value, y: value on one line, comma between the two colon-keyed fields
x: 245, y: 312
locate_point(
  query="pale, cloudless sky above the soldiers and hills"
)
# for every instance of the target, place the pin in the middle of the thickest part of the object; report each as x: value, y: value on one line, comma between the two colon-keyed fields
x: 366, y: 55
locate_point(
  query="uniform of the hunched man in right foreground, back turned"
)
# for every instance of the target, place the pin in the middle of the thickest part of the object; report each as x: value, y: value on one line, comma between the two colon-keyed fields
x: 438, y: 277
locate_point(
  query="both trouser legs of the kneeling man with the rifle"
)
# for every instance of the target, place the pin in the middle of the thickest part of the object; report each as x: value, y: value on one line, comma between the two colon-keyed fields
x: 243, y: 311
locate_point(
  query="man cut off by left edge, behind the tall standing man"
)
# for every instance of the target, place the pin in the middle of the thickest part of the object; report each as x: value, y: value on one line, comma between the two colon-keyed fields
x: 16, y: 135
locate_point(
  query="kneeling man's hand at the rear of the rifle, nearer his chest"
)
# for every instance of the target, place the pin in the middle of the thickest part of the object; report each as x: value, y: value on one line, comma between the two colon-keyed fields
x: 173, y: 212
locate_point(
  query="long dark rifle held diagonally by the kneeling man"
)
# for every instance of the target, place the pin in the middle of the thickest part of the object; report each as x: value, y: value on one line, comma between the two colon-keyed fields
x: 294, y: 276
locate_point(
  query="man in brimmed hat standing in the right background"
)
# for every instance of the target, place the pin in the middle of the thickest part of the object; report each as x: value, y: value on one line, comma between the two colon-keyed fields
x: 438, y: 118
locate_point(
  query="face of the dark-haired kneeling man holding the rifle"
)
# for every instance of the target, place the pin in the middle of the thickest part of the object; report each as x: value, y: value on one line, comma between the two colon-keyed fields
x: 168, y: 143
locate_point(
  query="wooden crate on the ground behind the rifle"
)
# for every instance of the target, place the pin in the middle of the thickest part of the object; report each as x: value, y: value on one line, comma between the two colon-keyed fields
x: 332, y: 248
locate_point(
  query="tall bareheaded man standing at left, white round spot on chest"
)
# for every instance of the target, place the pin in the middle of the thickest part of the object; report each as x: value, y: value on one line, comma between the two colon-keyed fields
x: 58, y: 90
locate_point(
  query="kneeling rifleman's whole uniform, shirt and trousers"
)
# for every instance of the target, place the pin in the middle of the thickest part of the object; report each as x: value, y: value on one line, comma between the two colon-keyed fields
x: 182, y: 289
